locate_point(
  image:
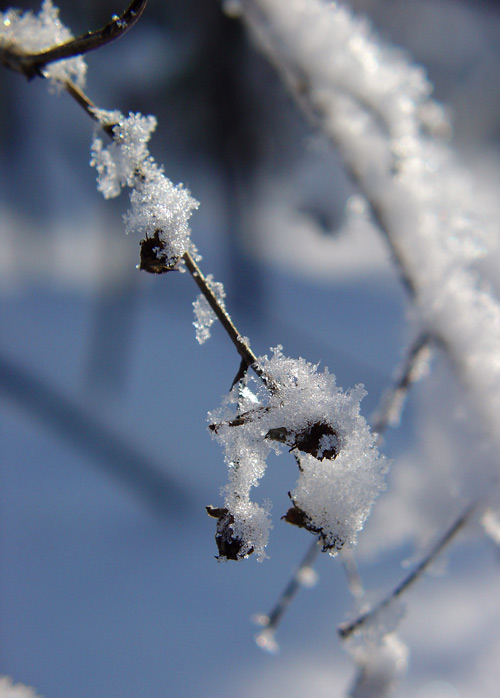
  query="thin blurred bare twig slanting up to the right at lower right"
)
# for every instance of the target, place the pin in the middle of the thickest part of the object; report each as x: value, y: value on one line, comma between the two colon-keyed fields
x: 346, y: 629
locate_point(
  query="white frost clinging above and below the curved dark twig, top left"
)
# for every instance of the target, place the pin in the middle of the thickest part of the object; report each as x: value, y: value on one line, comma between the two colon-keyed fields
x: 34, y: 33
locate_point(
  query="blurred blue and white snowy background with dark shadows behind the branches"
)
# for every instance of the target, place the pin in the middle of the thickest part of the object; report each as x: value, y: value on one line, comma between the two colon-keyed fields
x: 108, y: 582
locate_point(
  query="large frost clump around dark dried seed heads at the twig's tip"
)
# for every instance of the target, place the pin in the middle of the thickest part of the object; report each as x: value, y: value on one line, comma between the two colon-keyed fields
x: 340, y: 469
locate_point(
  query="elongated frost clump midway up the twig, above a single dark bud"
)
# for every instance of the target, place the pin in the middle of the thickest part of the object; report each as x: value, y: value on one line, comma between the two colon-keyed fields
x: 159, y: 210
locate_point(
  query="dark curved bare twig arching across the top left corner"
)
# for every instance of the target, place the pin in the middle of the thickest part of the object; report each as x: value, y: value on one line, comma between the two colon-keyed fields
x: 31, y: 65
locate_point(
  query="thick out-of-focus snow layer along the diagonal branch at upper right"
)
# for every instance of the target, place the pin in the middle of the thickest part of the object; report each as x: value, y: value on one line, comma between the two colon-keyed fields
x: 375, y: 106
